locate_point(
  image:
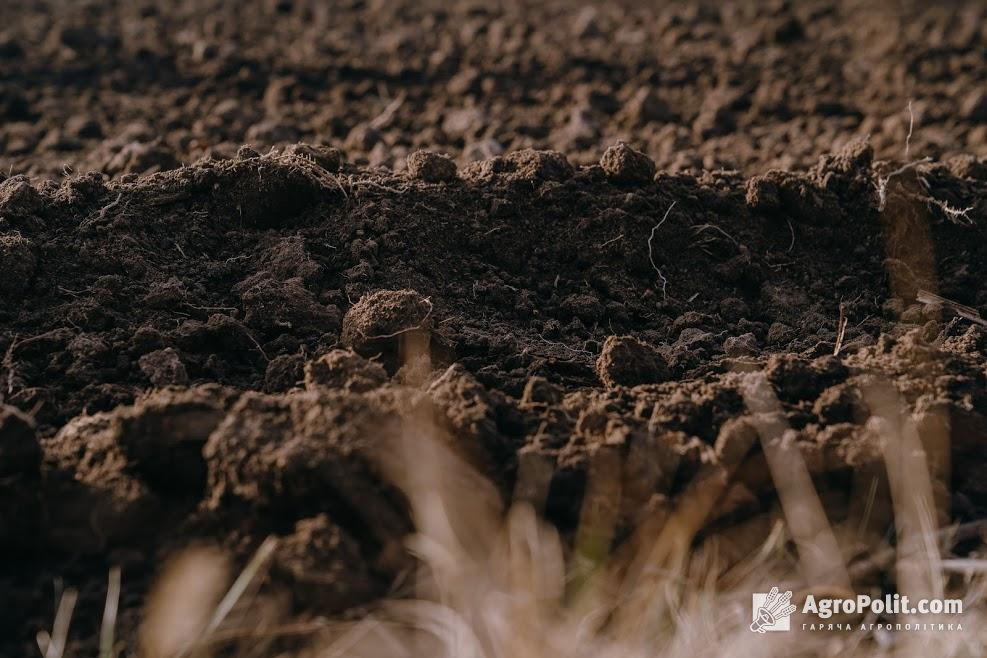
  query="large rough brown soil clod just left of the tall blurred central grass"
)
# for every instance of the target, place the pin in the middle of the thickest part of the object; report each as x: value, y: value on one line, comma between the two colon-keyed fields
x: 289, y: 456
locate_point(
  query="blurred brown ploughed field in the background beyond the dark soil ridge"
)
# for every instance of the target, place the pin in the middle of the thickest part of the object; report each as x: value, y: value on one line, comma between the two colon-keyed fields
x: 130, y: 87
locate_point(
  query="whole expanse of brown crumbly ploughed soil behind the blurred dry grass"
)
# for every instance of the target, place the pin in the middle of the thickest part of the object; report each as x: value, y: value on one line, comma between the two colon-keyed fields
x: 529, y: 233
